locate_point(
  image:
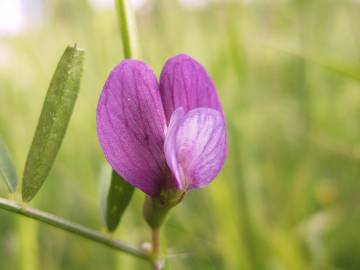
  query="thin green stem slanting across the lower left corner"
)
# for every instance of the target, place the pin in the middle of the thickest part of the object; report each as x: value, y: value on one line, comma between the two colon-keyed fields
x: 71, y: 227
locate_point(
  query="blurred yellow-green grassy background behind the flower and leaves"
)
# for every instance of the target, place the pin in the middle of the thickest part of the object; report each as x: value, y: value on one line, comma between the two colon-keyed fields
x: 288, y: 74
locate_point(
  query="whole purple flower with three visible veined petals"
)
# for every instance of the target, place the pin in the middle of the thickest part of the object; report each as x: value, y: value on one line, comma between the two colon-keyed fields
x: 165, y: 135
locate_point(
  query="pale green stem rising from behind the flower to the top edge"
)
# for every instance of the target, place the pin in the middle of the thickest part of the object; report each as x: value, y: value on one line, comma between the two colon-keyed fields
x: 128, y: 31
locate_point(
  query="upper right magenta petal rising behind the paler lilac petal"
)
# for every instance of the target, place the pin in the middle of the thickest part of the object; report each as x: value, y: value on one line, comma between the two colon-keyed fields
x: 185, y: 83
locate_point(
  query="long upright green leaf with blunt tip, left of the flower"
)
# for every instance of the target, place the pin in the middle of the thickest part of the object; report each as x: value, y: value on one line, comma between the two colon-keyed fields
x: 55, y: 115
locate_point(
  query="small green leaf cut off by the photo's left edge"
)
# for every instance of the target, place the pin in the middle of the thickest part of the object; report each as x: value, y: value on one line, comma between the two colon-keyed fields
x: 7, y: 168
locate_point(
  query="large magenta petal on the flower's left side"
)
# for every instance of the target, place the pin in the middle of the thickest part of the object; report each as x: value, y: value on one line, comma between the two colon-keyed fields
x: 131, y: 125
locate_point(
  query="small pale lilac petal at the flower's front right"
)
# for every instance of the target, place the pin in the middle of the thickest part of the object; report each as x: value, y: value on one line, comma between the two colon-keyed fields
x: 195, y: 146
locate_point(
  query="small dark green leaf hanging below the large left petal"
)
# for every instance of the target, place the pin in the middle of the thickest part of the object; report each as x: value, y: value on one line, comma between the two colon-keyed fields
x: 115, y: 196
